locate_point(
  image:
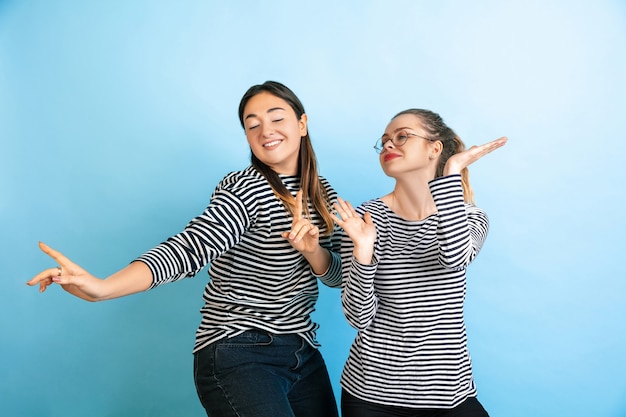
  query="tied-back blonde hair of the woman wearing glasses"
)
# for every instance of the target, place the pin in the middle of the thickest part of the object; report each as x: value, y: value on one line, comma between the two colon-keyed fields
x: 437, y: 130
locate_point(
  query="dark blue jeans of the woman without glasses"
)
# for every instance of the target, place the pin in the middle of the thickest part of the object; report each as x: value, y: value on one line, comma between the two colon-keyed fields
x: 259, y: 374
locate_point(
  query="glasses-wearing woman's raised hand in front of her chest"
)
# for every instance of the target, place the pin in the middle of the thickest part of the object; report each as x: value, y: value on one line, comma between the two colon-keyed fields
x: 362, y: 231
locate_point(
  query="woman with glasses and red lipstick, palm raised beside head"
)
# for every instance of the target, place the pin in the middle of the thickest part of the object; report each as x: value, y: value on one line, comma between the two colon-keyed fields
x: 404, y: 261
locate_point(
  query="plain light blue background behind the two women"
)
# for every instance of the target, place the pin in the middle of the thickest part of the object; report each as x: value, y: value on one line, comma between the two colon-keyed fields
x: 118, y: 118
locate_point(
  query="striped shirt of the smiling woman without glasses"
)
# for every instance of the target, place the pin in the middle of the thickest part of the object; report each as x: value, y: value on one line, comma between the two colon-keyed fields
x: 257, y: 279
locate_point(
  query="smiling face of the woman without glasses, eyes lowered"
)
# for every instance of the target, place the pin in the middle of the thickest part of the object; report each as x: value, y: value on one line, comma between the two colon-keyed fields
x: 273, y: 131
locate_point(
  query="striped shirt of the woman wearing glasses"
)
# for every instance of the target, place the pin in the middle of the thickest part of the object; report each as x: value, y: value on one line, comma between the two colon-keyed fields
x: 411, y: 346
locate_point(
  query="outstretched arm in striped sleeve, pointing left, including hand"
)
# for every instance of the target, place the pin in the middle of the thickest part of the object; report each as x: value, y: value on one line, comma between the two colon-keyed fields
x: 182, y: 255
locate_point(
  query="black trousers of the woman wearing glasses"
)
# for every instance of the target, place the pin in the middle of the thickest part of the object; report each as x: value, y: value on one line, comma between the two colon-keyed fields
x: 352, y: 406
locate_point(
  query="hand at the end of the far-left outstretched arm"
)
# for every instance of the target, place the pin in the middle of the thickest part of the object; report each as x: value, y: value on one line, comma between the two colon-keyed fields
x: 70, y: 276
